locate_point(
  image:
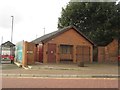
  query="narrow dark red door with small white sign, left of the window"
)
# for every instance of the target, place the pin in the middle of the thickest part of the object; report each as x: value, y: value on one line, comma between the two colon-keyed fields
x: 51, y: 52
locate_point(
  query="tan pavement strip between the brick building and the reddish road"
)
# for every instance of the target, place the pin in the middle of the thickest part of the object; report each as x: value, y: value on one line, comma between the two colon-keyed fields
x: 62, y: 71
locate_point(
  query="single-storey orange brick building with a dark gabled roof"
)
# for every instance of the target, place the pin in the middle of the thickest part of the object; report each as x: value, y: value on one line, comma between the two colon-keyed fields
x: 67, y: 44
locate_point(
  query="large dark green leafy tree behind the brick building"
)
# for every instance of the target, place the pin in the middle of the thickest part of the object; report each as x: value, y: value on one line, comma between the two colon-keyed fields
x: 98, y: 21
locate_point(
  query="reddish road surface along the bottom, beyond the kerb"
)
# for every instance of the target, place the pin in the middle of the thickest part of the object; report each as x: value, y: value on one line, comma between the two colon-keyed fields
x: 58, y: 83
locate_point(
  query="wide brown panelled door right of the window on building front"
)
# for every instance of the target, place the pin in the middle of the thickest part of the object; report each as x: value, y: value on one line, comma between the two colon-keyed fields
x: 83, y: 53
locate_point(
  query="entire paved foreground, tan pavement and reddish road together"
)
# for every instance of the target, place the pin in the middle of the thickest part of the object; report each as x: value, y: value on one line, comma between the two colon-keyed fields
x: 60, y: 76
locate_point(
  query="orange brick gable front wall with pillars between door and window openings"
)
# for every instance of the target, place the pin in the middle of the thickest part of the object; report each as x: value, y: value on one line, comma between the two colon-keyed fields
x: 70, y: 37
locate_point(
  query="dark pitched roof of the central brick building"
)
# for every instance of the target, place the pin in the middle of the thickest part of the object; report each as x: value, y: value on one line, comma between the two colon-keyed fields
x: 49, y: 36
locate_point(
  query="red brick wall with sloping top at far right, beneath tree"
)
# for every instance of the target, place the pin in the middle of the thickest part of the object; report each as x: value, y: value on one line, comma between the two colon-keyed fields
x: 108, y: 53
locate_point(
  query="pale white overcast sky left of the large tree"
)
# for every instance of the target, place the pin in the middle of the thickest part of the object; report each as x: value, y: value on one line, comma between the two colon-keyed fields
x: 30, y: 18
